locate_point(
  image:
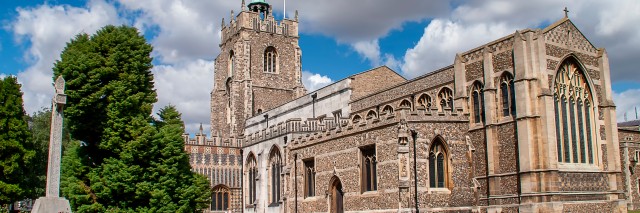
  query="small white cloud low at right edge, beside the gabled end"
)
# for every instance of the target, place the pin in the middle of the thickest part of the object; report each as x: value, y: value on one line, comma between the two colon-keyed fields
x: 626, y: 103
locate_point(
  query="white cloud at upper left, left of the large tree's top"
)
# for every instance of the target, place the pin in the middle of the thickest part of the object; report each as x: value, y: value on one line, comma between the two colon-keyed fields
x: 45, y: 30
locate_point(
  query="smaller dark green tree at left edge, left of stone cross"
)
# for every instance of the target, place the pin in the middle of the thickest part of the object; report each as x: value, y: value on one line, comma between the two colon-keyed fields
x: 15, y: 151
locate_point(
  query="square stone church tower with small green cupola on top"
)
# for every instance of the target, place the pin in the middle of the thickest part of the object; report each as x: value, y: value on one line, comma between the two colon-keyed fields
x: 258, y: 68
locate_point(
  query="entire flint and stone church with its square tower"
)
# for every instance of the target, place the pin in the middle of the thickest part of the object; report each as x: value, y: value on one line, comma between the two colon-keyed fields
x: 525, y: 123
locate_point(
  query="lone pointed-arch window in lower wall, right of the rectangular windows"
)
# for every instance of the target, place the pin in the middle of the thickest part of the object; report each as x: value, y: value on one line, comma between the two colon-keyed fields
x: 438, y: 164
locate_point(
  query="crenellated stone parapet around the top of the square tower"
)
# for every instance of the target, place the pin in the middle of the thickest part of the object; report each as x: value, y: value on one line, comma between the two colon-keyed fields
x: 254, y: 21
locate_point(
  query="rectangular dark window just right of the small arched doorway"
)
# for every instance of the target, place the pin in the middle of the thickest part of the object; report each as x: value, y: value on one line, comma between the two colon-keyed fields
x: 368, y: 173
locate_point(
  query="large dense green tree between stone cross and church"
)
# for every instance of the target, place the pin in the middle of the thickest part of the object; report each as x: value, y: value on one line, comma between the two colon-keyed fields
x: 126, y: 161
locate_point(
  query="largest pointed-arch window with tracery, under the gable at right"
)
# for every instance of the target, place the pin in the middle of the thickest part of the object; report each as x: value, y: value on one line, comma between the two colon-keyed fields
x: 573, y: 114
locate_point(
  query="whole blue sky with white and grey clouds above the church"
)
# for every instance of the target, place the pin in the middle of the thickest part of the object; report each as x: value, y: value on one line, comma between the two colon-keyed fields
x: 338, y: 38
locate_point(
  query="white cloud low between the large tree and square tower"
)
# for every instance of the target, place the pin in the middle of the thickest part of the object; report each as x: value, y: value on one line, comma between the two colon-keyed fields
x: 186, y: 86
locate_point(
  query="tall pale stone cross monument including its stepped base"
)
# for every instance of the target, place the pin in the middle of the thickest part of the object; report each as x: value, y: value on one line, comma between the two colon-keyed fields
x: 52, y: 202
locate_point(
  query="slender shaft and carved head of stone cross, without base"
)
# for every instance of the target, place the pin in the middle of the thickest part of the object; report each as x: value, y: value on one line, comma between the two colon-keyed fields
x: 55, y: 139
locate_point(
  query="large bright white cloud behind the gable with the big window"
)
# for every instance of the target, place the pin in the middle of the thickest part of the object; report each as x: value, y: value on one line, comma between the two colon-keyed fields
x: 475, y: 22
